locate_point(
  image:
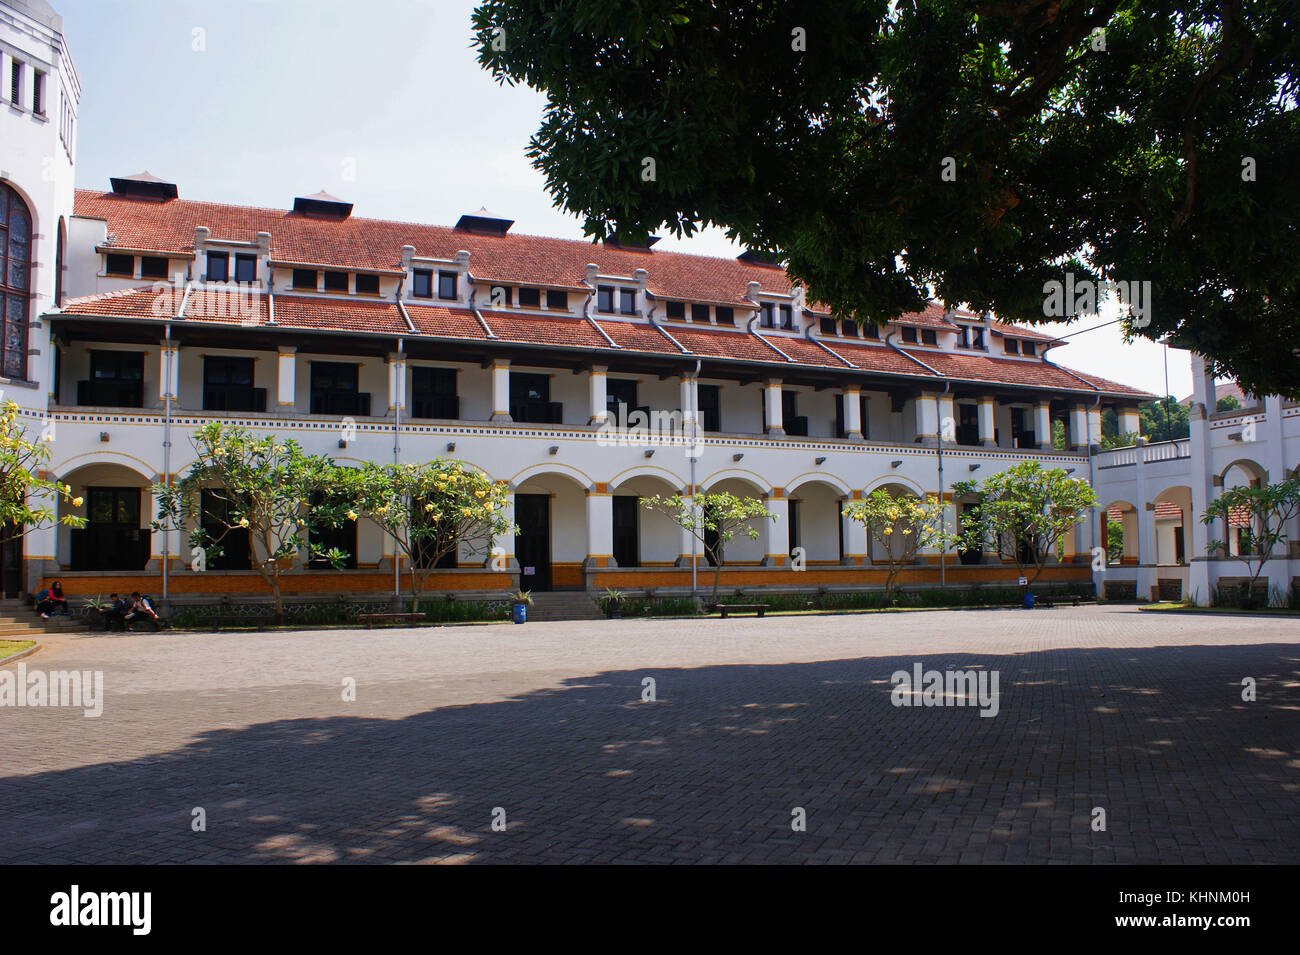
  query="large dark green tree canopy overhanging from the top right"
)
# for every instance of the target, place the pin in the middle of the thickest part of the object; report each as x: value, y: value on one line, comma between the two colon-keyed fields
x: 970, y: 151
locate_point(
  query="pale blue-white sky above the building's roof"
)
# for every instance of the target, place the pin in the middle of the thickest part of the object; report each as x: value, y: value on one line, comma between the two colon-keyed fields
x: 380, y: 103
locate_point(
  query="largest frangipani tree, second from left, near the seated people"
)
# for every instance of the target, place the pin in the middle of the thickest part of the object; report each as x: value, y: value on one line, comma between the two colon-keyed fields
x: 270, y: 488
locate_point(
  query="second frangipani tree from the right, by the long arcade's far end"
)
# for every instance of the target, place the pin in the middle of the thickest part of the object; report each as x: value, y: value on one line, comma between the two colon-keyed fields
x: 1025, y: 514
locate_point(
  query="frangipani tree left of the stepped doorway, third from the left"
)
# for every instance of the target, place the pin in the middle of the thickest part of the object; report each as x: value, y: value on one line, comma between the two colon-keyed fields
x: 430, y: 510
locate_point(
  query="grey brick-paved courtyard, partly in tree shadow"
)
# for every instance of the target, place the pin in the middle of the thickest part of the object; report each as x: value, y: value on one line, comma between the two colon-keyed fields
x: 1134, y: 713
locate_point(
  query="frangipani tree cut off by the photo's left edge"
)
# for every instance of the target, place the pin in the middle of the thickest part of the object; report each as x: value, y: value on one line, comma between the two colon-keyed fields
x: 27, y: 500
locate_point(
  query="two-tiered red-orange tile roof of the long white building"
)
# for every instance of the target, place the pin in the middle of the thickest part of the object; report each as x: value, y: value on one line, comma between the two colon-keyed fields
x: 362, y: 244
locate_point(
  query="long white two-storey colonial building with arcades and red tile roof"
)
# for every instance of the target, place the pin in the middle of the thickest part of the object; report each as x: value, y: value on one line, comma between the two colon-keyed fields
x: 135, y: 316
